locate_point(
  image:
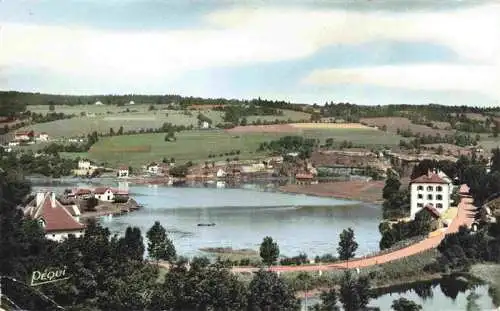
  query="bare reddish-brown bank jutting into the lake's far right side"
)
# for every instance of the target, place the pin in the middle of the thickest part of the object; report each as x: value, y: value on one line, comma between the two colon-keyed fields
x: 364, y: 191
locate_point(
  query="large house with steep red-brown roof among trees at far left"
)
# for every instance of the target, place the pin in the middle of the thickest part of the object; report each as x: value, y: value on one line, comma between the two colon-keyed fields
x: 58, y: 220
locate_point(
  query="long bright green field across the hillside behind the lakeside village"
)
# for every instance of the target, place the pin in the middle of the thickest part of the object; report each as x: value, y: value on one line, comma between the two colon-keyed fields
x: 137, y: 150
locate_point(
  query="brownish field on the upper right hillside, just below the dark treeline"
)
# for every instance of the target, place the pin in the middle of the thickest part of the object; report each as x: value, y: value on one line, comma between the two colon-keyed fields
x: 393, y: 123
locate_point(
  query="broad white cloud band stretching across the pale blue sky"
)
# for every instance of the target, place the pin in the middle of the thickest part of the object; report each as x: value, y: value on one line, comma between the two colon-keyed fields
x: 244, y: 36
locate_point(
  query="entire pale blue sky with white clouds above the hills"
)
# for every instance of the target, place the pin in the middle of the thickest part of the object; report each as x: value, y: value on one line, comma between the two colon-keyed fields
x: 368, y: 52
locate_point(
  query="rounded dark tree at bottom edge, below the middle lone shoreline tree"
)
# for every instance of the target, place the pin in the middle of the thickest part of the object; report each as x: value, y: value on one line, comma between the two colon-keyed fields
x: 268, y: 292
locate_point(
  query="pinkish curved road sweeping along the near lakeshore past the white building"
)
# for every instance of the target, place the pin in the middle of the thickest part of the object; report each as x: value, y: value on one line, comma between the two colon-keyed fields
x: 464, y: 217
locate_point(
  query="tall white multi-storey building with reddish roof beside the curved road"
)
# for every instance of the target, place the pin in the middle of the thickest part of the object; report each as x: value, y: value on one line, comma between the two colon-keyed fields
x: 433, y: 189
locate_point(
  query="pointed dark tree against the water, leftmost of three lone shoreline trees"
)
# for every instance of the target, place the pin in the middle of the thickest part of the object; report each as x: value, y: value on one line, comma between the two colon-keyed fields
x: 160, y: 247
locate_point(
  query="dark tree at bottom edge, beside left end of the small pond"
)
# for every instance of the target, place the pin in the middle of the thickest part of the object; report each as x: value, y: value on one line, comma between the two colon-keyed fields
x: 354, y: 292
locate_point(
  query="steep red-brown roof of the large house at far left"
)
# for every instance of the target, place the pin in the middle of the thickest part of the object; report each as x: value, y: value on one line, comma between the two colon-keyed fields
x: 56, y: 216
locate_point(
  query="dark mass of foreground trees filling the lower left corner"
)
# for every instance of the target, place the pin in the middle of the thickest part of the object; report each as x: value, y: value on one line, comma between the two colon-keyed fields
x: 108, y: 272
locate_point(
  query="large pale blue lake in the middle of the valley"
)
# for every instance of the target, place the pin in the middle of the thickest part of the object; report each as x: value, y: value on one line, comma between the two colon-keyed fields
x: 243, y: 216
